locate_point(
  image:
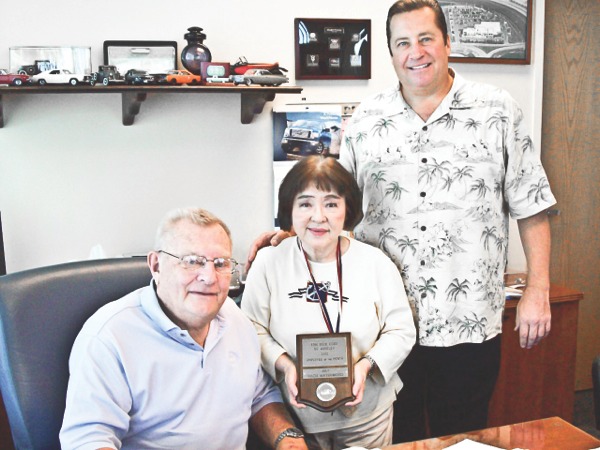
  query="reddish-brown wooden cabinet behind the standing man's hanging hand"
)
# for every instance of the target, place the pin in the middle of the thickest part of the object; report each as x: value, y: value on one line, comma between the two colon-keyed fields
x: 539, y: 382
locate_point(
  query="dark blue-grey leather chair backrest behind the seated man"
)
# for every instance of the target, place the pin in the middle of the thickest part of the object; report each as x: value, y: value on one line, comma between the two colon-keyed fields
x: 41, y: 313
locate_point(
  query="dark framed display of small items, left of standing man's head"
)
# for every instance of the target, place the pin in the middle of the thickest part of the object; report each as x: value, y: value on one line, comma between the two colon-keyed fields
x: 332, y: 49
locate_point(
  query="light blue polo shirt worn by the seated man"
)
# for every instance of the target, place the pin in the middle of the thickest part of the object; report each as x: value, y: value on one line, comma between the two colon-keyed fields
x: 139, y: 381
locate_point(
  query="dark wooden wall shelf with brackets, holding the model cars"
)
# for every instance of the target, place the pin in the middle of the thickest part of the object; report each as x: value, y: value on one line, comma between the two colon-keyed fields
x: 252, y: 103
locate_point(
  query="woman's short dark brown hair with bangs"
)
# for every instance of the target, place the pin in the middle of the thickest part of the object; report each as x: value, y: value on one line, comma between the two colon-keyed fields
x: 327, y: 174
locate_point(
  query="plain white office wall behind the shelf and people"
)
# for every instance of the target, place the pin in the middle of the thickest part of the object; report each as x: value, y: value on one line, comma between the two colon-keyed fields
x: 72, y: 176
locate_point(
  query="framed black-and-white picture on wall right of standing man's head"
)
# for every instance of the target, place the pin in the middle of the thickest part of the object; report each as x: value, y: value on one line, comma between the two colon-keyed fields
x: 489, y: 31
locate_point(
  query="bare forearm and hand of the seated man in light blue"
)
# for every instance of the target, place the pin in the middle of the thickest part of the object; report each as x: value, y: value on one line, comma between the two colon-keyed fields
x: 270, y: 421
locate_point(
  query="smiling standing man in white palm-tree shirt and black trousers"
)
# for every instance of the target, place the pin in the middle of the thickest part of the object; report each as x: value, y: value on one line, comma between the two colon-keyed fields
x: 442, y: 162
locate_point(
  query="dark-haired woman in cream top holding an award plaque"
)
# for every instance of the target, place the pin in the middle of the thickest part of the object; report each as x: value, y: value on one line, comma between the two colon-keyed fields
x: 320, y: 281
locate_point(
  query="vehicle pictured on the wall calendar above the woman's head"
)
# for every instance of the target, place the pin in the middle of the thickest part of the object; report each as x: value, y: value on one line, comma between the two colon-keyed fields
x: 308, y: 137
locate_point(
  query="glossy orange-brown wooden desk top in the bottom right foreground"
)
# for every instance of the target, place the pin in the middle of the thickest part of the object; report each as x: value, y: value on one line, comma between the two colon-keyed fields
x: 545, y: 434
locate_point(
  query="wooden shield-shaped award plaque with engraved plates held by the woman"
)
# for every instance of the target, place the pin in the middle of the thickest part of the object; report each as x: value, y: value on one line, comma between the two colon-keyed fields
x: 325, y: 375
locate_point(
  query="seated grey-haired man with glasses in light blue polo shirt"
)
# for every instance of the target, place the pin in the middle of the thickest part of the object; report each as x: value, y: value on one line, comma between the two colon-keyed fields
x: 175, y: 364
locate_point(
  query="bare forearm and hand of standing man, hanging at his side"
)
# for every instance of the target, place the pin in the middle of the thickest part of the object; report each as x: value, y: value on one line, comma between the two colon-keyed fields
x: 533, y: 310
